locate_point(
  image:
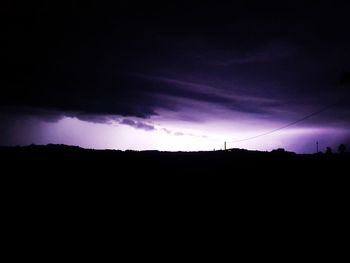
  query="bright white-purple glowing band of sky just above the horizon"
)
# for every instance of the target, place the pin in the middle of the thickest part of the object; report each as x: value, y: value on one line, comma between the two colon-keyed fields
x: 172, y: 133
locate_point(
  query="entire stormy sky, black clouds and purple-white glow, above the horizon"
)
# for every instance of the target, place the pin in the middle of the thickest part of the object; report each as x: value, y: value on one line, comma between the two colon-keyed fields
x: 177, y: 75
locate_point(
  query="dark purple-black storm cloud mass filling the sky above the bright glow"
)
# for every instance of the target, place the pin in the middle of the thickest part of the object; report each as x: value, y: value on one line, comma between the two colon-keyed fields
x: 123, y: 59
